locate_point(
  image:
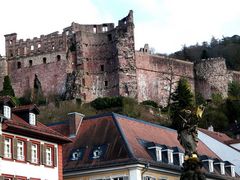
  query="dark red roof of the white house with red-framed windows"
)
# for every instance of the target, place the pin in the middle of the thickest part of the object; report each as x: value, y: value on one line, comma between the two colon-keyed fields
x: 19, y: 126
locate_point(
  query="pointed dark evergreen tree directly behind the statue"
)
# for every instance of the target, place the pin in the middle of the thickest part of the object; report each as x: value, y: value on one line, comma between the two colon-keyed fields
x: 181, y: 99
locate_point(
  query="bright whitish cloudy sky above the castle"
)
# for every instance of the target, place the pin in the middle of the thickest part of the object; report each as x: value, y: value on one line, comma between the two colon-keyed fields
x: 165, y: 25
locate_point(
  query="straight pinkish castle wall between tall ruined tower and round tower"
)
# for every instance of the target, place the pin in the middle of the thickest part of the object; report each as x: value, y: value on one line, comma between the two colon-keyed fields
x: 157, y: 76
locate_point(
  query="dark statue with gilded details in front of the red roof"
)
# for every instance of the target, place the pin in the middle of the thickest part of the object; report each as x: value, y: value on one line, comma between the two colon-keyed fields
x: 187, y: 136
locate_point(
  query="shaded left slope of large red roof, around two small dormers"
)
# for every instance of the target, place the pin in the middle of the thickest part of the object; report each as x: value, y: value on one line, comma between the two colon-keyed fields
x: 92, y: 132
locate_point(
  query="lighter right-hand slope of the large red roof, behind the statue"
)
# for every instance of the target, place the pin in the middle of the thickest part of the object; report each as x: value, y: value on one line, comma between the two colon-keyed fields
x: 137, y: 129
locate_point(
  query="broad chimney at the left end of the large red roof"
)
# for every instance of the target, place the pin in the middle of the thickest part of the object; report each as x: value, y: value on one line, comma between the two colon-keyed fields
x: 75, y: 120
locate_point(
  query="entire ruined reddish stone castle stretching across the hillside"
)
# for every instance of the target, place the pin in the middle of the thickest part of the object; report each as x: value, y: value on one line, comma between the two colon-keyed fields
x: 90, y: 61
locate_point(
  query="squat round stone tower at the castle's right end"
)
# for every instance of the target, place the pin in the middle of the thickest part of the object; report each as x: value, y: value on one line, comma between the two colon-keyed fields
x: 212, y: 76
